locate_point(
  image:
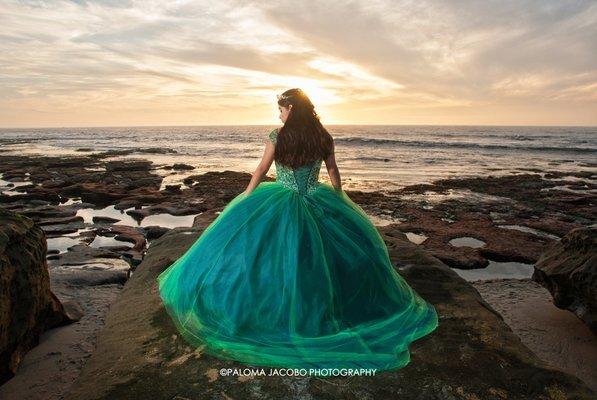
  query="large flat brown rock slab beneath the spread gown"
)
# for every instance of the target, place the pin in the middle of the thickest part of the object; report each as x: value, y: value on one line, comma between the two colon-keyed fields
x: 472, y: 354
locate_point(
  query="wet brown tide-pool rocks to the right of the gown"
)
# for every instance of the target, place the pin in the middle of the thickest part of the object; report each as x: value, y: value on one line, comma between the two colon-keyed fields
x: 498, y: 210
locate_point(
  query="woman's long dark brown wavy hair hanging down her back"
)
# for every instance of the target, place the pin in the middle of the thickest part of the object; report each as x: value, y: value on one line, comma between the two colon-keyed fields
x: 302, y: 139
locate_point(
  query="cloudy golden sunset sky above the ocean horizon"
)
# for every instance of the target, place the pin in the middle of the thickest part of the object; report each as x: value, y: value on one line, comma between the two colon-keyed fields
x: 119, y: 63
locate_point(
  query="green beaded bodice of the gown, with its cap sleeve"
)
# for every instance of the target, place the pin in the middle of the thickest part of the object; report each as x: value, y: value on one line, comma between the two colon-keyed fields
x: 303, y: 180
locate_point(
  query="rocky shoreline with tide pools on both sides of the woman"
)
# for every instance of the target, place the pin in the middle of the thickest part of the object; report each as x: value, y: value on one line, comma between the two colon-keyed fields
x: 96, y: 213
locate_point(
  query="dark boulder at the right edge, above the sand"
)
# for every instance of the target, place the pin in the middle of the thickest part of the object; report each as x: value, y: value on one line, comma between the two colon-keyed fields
x: 569, y: 271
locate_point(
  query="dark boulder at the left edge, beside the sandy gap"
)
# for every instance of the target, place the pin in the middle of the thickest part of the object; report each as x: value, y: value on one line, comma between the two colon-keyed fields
x: 27, y: 305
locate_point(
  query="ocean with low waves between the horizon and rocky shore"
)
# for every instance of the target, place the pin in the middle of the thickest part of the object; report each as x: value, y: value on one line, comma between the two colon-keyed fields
x: 370, y: 157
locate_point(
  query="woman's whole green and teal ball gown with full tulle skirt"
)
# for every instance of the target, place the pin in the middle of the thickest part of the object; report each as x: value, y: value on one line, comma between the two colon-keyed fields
x: 295, y: 275
